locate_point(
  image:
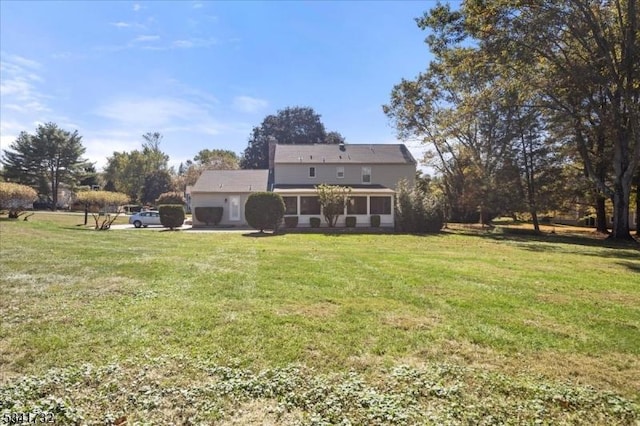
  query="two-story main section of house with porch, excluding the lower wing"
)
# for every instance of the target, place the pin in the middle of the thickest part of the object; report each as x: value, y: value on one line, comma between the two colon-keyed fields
x: 372, y: 171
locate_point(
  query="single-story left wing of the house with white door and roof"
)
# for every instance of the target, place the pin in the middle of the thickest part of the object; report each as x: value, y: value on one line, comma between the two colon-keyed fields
x: 228, y: 189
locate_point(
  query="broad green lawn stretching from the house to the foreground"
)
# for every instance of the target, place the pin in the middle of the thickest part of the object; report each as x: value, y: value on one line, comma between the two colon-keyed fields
x: 463, y: 327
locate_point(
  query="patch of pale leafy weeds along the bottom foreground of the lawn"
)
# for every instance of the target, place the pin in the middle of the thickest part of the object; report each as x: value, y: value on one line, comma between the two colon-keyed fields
x: 182, y: 391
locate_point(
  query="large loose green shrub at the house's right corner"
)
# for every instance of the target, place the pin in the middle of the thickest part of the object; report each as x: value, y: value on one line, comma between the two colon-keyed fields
x: 417, y: 212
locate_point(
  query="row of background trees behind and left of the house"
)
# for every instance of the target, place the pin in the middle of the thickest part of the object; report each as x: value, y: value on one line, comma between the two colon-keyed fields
x: 53, y: 157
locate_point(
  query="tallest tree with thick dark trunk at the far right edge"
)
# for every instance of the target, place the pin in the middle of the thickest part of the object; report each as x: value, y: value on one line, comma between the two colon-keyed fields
x: 587, y: 71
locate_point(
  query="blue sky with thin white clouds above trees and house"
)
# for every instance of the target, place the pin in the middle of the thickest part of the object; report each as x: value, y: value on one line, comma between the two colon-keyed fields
x: 202, y: 73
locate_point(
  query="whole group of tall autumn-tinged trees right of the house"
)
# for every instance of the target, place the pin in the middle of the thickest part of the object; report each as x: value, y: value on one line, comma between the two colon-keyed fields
x: 529, y: 104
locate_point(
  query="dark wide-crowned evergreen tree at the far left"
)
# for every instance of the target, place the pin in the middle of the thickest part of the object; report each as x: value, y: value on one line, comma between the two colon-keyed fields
x: 50, y: 157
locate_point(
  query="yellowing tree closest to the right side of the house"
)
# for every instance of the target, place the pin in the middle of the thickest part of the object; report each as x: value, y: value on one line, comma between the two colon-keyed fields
x: 460, y: 111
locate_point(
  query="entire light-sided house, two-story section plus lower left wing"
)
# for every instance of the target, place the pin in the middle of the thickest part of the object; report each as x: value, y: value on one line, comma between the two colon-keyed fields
x: 372, y: 171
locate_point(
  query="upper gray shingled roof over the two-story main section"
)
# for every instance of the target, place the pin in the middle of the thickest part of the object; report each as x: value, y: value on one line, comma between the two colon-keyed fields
x: 351, y: 153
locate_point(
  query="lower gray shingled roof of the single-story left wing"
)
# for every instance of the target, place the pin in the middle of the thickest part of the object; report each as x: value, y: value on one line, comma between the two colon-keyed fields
x: 232, y: 181
